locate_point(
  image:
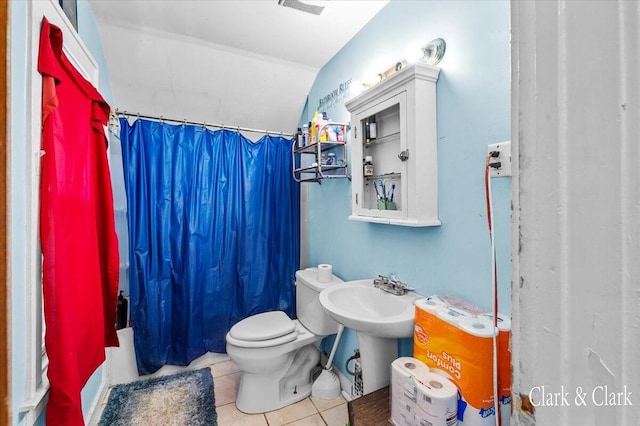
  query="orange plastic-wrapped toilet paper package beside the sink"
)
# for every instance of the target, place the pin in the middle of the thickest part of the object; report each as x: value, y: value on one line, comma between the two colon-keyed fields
x: 456, y: 340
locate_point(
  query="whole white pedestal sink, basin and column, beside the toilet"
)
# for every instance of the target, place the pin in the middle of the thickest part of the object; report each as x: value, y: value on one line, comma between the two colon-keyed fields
x: 379, y: 320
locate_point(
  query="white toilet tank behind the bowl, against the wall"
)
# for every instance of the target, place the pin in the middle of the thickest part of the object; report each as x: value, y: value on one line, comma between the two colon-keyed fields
x: 310, y: 312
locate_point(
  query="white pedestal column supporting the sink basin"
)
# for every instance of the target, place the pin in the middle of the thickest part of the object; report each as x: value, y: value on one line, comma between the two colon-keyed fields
x: 376, y: 356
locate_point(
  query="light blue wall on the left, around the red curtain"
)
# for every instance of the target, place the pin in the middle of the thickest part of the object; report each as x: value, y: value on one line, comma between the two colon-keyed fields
x: 19, y: 38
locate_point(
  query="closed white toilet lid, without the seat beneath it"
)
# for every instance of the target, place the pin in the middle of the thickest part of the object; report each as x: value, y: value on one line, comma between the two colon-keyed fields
x: 265, y: 326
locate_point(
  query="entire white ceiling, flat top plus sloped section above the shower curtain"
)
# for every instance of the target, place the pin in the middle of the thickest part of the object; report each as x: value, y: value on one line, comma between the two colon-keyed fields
x: 220, y: 61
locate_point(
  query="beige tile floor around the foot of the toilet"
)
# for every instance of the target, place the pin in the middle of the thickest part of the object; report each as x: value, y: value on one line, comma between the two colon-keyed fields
x: 308, y: 412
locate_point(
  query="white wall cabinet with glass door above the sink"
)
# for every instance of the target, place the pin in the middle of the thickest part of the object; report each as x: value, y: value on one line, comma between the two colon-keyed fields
x: 403, y: 187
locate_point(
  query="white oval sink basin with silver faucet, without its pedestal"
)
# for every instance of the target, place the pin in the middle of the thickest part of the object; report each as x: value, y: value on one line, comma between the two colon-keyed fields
x: 367, y: 309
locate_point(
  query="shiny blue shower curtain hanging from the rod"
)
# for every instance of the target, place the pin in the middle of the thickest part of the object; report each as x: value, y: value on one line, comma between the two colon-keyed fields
x: 214, y: 235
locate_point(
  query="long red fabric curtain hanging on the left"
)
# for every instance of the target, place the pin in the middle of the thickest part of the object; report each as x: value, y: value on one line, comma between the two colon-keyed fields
x: 77, y: 232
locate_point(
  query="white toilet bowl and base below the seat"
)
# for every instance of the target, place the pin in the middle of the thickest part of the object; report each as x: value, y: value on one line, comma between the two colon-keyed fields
x: 259, y: 393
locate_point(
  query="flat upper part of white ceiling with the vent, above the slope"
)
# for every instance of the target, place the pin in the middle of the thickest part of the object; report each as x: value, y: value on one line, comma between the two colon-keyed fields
x: 257, y: 26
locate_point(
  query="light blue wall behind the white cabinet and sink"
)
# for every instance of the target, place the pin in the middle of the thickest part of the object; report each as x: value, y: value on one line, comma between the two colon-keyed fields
x: 473, y: 111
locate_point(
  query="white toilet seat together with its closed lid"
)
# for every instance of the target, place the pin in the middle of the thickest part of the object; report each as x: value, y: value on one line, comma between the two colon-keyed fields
x: 263, y: 330
